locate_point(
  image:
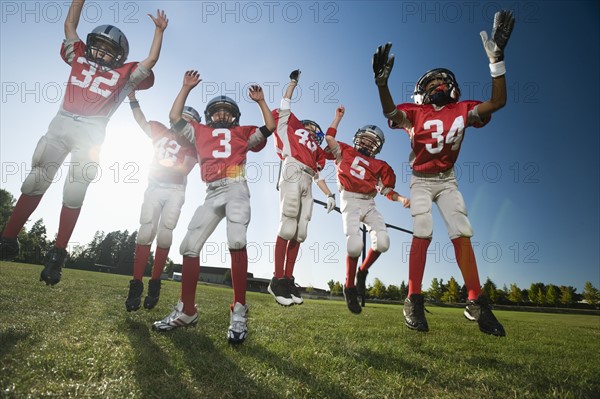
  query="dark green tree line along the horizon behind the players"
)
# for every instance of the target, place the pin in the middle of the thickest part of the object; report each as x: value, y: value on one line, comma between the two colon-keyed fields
x: 114, y: 252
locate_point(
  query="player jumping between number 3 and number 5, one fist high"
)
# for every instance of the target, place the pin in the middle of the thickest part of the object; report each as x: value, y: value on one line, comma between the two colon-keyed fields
x: 298, y: 145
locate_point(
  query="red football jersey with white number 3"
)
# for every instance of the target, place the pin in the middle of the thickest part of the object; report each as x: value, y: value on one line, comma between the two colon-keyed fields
x: 222, y: 152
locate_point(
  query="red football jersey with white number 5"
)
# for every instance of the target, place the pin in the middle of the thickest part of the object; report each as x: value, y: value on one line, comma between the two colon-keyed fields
x: 359, y: 173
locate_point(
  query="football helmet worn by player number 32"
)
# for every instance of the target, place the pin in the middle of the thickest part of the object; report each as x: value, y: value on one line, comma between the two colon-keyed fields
x: 109, y: 36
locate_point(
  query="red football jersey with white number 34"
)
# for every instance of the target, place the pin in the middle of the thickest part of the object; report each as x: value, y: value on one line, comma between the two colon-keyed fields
x: 436, y: 135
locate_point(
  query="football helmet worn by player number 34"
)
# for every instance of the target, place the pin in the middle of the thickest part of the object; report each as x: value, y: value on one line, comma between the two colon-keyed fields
x: 445, y: 93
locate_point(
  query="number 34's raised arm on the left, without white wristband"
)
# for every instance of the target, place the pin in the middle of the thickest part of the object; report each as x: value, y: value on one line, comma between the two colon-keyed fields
x: 383, y: 63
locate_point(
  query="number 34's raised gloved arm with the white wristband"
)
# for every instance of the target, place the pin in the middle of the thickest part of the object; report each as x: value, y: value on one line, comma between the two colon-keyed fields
x: 504, y: 22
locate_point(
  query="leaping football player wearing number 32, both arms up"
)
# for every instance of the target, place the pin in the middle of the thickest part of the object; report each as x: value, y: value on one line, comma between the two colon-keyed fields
x: 98, y: 82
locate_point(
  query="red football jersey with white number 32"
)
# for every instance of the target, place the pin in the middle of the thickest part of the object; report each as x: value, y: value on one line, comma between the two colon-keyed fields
x: 94, y: 91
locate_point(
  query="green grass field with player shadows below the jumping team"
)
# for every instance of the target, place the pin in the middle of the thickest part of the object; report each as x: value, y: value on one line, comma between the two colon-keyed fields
x: 77, y: 340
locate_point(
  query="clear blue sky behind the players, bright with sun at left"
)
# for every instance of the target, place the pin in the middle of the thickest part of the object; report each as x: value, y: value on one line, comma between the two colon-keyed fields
x: 530, y: 178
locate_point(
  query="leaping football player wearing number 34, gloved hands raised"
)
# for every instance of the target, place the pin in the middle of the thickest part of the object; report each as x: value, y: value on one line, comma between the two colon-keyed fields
x: 435, y: 125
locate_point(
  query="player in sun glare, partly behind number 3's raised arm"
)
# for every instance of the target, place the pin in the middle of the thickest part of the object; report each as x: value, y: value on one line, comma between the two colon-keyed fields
x: 174, y: 158
